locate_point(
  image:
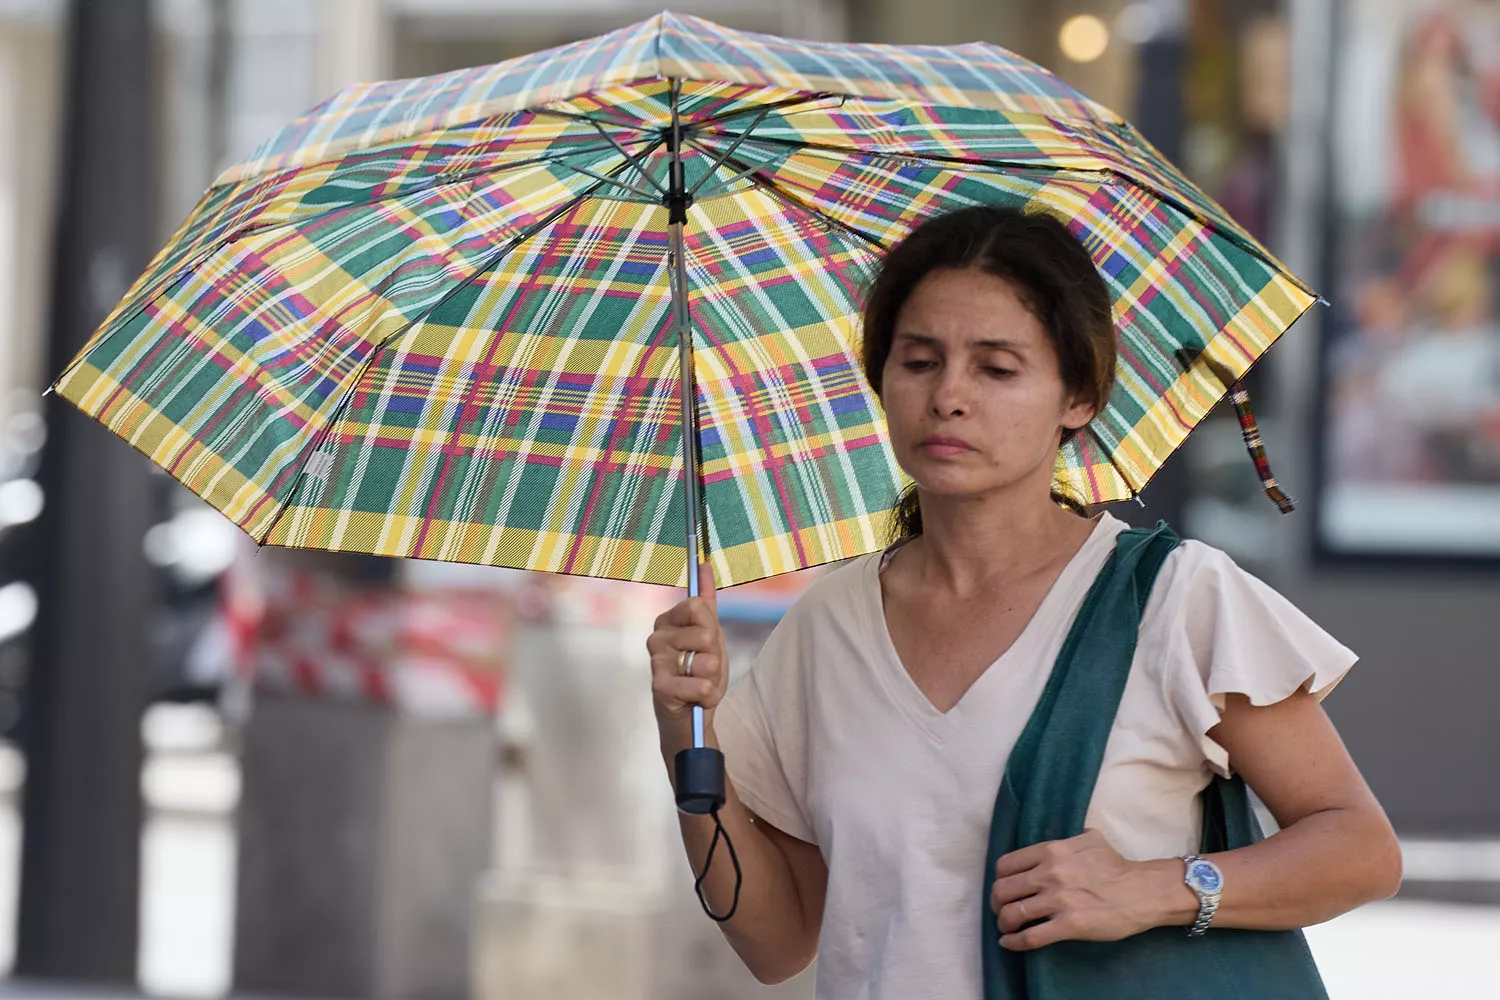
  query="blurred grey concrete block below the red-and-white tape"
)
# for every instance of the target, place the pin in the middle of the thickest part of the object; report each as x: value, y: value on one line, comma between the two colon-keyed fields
x: 364, y: 836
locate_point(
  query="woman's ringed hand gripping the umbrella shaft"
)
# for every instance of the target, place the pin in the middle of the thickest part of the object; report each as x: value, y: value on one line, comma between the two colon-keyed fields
x: 689, y: 626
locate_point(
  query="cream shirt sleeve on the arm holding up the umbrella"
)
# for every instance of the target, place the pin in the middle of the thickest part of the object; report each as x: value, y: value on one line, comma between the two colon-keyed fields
x: 761, y: 731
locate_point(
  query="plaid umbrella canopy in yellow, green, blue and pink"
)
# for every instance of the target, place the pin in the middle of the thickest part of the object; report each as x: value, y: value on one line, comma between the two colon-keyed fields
x: 436, y: 319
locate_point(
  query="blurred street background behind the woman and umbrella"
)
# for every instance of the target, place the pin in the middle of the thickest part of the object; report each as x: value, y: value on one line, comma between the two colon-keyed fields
x: 227, y: 773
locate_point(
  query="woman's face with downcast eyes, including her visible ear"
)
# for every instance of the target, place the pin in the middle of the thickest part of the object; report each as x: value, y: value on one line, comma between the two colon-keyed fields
x: 971, y: 389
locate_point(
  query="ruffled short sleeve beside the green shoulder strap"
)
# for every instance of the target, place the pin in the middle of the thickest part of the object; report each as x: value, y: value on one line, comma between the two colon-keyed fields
x: 1229, y: 633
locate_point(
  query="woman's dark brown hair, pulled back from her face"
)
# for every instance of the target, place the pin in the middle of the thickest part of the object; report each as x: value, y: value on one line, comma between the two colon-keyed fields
x: 1049, y: 269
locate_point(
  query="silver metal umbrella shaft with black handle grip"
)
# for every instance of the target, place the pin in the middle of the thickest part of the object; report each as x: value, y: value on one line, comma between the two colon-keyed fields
x: 700, y: 771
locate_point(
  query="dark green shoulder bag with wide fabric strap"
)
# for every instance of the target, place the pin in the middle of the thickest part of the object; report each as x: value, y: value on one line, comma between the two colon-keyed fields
x: 1049, y: 782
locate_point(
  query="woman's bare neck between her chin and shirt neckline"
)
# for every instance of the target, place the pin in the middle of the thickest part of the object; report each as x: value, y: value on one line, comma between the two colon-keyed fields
x: 973, y: 545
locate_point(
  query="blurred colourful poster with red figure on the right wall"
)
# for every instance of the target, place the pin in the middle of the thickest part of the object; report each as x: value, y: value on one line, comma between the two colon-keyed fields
x: 1412, y: 367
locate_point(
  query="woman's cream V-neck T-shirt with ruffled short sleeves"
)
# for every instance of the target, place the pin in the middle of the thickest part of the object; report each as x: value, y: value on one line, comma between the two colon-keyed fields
x: 830, y: 740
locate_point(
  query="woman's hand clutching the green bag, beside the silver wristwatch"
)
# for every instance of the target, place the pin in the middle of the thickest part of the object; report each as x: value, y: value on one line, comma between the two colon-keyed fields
x: 1082, y: 890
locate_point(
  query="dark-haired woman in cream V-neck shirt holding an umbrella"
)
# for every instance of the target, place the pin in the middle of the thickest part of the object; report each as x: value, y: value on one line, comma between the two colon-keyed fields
x: 866, y: 746
